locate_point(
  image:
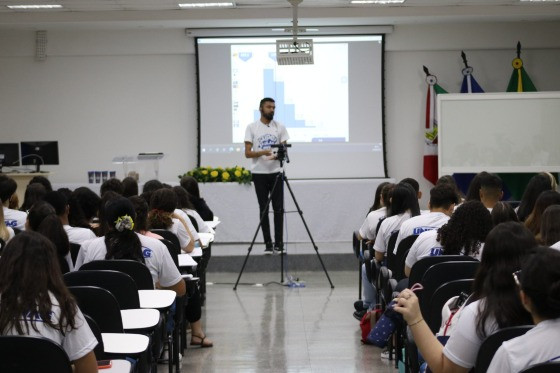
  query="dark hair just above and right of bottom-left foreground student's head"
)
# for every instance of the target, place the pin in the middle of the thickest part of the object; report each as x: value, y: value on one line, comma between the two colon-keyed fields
x: 43, y: 219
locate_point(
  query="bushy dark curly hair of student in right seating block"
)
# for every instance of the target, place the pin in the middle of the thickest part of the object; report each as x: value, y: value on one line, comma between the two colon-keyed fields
x: 466, y: 229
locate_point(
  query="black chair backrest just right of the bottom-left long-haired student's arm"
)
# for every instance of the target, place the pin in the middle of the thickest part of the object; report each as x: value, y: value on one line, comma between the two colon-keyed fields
x: 101, y: 305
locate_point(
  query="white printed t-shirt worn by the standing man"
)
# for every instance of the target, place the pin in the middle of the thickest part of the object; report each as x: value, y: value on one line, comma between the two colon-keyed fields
x: 262, y: 136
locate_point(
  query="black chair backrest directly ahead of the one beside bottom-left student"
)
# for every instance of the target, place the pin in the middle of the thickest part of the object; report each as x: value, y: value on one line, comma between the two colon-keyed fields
x: 121, y: 285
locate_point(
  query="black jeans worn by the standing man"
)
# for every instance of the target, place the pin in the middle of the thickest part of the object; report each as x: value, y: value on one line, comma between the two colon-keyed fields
x: 264, y: 184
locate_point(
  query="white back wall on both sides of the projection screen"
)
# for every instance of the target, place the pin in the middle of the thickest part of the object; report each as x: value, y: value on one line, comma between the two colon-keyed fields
x: 108, y: 93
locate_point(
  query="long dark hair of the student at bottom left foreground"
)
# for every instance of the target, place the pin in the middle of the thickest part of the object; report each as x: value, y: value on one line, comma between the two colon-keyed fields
x: 29, y: 274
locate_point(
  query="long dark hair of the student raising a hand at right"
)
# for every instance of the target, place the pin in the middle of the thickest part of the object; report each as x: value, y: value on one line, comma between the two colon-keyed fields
x: 506, y: 248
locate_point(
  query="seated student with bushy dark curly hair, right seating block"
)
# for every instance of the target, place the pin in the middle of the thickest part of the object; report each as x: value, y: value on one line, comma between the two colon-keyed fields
x: 463, y: 234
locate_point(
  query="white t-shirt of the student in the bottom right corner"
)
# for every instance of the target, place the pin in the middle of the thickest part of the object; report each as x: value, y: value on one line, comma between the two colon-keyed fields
x: 538, y: 345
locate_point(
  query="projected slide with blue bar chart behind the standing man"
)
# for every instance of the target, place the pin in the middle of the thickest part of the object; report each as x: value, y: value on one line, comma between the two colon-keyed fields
x: 311, y: 100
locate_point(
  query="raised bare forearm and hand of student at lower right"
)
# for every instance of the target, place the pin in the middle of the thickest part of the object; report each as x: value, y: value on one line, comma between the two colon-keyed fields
x: 428, y: 345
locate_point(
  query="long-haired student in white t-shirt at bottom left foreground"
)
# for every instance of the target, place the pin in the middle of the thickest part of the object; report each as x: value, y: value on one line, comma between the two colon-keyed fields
x: 31, y: 285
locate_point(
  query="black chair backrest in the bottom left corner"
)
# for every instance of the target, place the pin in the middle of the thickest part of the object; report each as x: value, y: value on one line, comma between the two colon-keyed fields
x: 23, y: 354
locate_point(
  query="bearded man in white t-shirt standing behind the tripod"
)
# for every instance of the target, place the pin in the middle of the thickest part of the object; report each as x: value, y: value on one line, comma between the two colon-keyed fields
x: 259, y: 136
